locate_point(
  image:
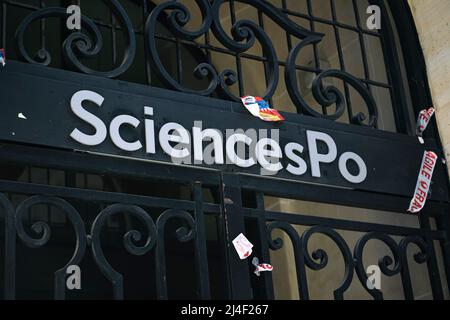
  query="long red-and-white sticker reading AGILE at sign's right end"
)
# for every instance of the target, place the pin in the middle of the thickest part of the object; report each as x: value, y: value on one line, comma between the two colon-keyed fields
x: 423, y: 182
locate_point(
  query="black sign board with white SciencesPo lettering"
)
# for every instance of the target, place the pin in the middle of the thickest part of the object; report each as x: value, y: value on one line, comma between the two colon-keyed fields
x: 35, y: 108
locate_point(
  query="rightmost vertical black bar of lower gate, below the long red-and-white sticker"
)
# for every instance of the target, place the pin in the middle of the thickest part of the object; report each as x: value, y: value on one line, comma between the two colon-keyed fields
x: 433, y: 269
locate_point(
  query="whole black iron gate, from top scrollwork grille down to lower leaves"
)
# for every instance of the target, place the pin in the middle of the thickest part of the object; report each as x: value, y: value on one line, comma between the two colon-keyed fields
x: 157, y: 231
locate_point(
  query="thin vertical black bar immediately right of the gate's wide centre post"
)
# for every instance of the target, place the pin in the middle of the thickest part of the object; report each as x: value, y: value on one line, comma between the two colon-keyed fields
x: 263, y: 243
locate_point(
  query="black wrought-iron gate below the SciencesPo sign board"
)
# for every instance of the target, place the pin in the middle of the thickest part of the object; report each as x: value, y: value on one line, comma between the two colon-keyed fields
x: 180, y: 260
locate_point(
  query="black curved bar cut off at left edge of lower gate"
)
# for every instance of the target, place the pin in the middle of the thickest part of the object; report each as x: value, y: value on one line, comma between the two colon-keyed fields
x: 10, y: 248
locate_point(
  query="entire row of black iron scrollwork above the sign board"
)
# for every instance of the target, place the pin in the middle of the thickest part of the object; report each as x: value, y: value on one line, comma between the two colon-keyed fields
x: 244, y: 34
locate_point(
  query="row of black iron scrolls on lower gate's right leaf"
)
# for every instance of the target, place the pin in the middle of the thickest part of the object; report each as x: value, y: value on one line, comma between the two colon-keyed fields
x: 318, y: 259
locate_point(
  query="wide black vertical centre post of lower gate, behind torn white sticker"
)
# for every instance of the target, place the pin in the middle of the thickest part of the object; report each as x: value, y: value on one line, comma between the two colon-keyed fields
x: 238, y: 270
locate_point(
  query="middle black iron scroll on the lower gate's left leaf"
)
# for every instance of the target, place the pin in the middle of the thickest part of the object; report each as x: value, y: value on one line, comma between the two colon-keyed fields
x: 128, y: 239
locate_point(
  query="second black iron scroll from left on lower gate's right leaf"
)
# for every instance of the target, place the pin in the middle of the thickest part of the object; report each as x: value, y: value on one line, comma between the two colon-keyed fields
x: 322, y: 256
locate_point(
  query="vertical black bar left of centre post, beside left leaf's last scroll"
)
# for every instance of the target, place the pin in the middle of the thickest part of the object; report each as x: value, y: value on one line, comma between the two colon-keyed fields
x: 201, y: 252
